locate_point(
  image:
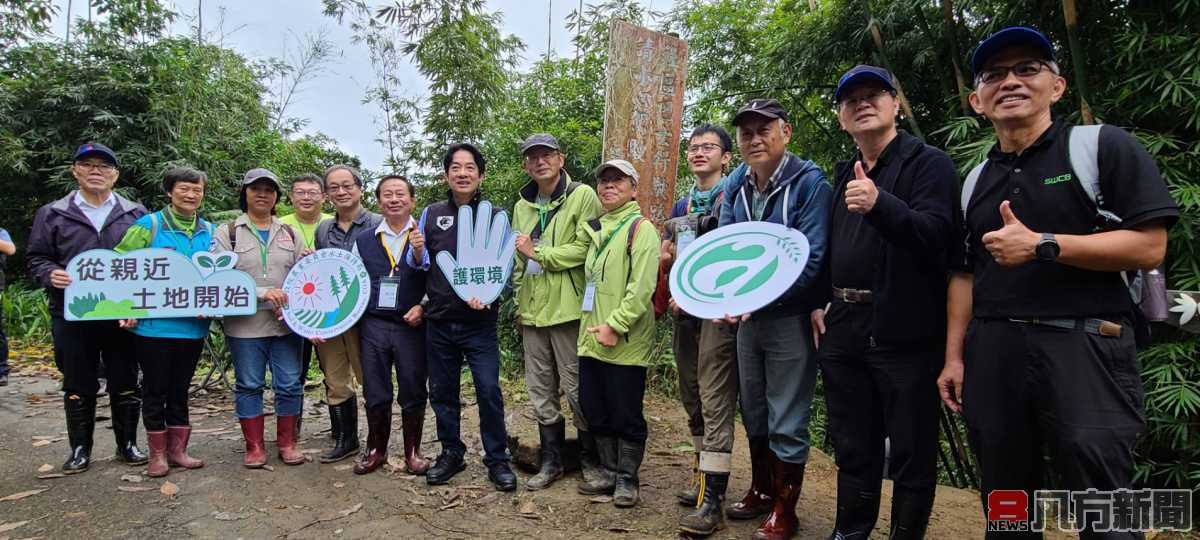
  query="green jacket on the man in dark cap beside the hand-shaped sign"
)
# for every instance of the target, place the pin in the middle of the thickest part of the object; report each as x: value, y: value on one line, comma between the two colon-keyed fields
x: 555, y: 296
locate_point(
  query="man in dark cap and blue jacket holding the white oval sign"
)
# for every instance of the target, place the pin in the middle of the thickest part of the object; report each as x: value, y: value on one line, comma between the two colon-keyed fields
x: 776, y: 368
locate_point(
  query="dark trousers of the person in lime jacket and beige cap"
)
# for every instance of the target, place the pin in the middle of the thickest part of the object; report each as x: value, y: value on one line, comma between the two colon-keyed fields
x: 611, y: 397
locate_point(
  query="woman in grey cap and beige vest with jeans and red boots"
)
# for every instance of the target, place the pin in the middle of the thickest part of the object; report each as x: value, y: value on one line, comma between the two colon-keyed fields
x: 266, y: 250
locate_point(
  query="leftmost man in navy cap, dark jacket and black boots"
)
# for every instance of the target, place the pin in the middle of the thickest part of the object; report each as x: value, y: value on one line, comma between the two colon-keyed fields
x: 88, y: 219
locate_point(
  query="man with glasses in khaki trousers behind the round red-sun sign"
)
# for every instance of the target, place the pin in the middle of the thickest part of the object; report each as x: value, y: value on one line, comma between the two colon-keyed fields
x: 339, y: 357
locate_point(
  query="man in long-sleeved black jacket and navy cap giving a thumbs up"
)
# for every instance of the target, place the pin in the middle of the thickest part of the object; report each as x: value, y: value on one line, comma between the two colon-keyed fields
x: 880, y: 340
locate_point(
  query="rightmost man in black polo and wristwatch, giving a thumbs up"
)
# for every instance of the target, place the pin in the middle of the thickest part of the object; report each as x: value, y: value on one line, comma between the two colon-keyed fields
x: 1041, y: 345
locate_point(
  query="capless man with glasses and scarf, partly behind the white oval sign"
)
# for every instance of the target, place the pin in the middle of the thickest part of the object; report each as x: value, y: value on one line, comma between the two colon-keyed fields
x: 704, y: 350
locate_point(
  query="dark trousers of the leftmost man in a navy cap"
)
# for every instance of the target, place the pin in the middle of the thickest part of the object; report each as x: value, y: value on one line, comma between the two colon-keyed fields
x: 79, y: 350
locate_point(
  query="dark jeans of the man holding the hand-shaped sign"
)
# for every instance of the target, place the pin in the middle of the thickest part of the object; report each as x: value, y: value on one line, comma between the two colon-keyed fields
x: 449, y: 344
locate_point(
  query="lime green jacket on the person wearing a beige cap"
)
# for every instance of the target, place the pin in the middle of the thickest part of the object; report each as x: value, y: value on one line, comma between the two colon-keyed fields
x: 626, y: 277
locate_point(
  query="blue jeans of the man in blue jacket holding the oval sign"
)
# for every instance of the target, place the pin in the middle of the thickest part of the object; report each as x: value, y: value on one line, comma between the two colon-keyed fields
x: 778, y: 373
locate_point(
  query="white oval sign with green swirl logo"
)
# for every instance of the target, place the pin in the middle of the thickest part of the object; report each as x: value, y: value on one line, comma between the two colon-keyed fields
x: 737, y: 269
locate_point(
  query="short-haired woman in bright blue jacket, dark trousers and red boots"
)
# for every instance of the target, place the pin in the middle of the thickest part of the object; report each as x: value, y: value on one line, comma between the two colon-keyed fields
x: 169, y: 350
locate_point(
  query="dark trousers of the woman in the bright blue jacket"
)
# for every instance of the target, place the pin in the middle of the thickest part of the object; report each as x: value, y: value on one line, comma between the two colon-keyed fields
x: 167, y: 369
